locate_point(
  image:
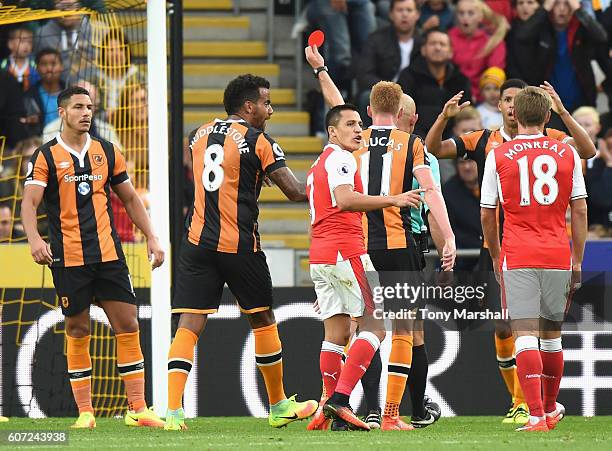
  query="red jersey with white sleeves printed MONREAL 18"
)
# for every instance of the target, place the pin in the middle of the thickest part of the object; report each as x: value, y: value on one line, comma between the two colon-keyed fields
x: 534, y: 178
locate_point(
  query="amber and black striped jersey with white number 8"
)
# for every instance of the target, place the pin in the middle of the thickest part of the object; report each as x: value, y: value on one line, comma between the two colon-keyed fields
x: 230, y: 161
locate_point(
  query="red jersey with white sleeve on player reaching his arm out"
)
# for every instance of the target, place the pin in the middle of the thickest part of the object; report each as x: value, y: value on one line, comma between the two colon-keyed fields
x: 336, y: 235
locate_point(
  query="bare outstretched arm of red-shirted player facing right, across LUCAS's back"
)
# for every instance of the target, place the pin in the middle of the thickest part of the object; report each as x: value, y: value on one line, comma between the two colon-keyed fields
x: 347, y: 199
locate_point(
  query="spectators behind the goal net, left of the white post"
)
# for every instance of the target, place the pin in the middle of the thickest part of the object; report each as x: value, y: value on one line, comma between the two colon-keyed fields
x: 37, y: 61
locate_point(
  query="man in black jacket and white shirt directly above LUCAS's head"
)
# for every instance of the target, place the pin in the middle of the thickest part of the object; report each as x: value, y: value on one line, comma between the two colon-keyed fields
x: 388, y: 51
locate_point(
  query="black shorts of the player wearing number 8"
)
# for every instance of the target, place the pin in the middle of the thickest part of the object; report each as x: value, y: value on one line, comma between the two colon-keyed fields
x: 202, y: 273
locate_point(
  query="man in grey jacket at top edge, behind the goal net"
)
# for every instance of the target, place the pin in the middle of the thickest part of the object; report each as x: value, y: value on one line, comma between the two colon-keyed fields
x: 70, y: 35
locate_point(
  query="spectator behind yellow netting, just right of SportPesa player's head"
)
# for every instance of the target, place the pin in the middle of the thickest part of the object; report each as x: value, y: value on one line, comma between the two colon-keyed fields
x: 116, y: 71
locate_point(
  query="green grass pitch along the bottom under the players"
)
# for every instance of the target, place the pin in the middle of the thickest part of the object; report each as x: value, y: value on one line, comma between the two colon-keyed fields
x: 460, y: 433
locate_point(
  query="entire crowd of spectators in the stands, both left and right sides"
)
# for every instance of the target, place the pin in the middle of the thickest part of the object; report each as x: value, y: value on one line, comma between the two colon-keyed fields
x: 432, y: 48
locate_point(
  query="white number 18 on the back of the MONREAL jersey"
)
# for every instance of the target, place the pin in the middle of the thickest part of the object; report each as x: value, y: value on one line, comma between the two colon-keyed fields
x: 542, y: 178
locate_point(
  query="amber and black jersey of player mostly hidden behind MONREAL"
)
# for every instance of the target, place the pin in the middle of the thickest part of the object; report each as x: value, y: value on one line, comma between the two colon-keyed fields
x: 476, y: 145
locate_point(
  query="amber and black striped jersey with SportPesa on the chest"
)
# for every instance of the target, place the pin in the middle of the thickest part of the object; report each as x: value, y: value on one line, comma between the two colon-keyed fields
x: 77, y: 199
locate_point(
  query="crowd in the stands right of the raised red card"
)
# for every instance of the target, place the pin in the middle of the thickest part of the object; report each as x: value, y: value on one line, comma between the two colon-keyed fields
x: 437, y: 48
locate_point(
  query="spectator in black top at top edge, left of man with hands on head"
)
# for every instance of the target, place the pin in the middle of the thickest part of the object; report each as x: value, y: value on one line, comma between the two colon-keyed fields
x: 521, y: 53
